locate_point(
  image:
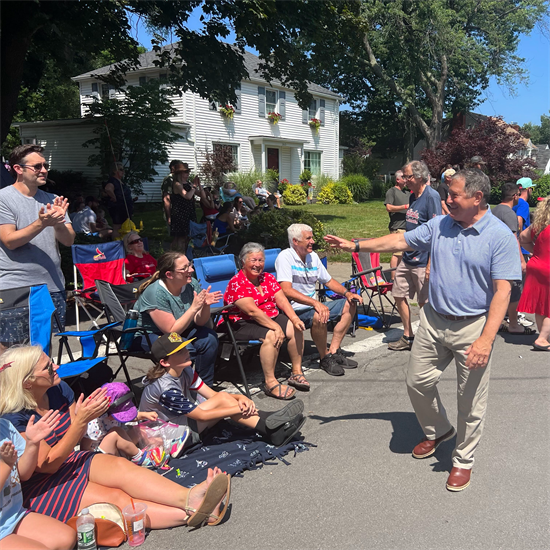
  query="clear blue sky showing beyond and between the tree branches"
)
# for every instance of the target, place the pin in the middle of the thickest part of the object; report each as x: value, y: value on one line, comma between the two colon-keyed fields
x: 530, y: 101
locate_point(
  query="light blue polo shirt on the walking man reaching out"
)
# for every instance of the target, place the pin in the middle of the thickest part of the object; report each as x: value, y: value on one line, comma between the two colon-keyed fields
x: 466, y: 261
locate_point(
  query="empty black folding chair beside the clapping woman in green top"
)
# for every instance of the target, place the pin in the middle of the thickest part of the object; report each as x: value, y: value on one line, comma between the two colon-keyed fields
x: 112, y: 297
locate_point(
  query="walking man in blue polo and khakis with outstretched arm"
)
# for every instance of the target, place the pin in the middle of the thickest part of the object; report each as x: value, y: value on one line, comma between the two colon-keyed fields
x: 474, y: 258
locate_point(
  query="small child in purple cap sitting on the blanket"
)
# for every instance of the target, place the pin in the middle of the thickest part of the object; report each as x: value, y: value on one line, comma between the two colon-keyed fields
x: 107, y: 434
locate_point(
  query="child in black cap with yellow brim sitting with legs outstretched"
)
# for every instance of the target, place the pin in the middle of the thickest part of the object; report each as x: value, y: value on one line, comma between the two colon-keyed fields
x: 168, y: 388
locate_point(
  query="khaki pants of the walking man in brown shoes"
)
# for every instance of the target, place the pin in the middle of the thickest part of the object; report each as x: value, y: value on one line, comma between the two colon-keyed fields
x: 437, y: 342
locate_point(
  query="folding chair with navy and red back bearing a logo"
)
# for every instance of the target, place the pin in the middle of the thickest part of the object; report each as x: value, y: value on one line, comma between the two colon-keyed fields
x: 103, y: 261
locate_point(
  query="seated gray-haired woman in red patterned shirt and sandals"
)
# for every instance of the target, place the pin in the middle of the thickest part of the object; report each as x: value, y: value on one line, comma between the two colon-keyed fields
x: 262, y: 312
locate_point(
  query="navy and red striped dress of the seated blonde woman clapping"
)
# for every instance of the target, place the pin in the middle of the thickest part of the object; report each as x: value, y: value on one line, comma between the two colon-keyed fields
x: 56, y: 495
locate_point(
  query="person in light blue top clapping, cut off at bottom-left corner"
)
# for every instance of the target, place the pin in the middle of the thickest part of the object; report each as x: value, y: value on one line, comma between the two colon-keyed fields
x: 21, y: 528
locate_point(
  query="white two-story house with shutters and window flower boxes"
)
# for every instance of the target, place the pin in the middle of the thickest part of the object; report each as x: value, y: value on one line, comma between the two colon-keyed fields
x: 290, y: 146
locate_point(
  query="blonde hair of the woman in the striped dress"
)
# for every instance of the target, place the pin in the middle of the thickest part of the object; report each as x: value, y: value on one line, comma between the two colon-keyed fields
x: 14, y: 397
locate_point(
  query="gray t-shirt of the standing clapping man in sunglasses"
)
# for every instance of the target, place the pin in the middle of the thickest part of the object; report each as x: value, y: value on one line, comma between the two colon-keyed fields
x: 38, y: 261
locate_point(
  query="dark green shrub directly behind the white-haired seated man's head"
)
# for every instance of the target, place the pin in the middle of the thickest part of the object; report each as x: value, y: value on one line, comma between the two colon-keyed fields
x: 273, y: 226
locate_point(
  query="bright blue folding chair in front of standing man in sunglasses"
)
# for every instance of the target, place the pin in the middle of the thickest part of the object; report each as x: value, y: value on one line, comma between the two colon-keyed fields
x: 42, y: 314
